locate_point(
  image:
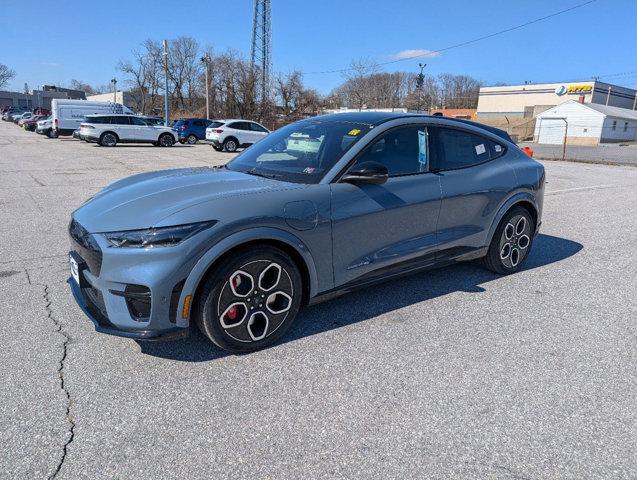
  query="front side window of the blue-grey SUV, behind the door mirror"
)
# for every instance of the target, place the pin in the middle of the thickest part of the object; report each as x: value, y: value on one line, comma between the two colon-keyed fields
x: 403, y: 151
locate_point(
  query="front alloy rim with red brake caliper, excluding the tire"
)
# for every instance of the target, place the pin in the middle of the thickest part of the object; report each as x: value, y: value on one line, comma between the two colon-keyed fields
x: 255, y: 300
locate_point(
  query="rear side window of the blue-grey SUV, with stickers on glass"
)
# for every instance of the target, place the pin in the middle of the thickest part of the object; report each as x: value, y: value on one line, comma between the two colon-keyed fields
x: 459, y: 149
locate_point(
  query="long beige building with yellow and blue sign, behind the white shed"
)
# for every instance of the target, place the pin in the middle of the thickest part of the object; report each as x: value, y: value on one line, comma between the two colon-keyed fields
x: 527, y: 101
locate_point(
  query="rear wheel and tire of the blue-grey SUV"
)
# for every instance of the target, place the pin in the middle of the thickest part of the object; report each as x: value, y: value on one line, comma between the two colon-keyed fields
x: 511, y: 243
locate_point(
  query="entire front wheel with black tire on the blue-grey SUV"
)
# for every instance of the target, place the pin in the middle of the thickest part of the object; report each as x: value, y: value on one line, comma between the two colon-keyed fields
x: 236, y: 318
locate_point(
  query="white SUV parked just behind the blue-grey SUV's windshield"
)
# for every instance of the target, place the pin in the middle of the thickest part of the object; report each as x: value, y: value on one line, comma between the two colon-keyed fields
x: 231, y: 134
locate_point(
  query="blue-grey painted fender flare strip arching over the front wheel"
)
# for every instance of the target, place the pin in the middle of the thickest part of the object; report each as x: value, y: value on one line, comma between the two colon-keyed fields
x: 244, y: 236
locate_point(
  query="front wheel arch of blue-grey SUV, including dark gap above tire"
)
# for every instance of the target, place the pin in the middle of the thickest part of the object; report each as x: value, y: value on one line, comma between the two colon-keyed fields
x: 281, y: 239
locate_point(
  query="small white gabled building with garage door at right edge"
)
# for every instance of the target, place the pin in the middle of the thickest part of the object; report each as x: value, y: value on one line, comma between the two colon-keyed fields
x: 585, y: 124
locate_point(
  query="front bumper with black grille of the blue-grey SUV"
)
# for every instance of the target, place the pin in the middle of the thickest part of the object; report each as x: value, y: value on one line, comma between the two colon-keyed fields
x: 107, y: 274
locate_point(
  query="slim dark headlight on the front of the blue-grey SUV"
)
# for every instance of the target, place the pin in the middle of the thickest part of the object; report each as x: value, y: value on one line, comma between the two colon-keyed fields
x: 156, y: 237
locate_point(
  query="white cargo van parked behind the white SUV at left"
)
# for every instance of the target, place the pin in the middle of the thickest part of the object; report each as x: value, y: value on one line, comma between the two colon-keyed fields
x: 68, y: 114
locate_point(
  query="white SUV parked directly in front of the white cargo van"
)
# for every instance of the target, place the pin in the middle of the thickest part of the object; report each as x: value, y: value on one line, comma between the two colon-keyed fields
x: 109, y: 130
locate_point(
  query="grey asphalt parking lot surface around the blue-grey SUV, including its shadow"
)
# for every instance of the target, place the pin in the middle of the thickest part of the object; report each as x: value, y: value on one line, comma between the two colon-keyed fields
x: 454, y: 373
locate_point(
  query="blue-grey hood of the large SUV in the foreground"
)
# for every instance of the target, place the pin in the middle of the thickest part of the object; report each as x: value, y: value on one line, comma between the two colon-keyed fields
x: 142, y: 201
